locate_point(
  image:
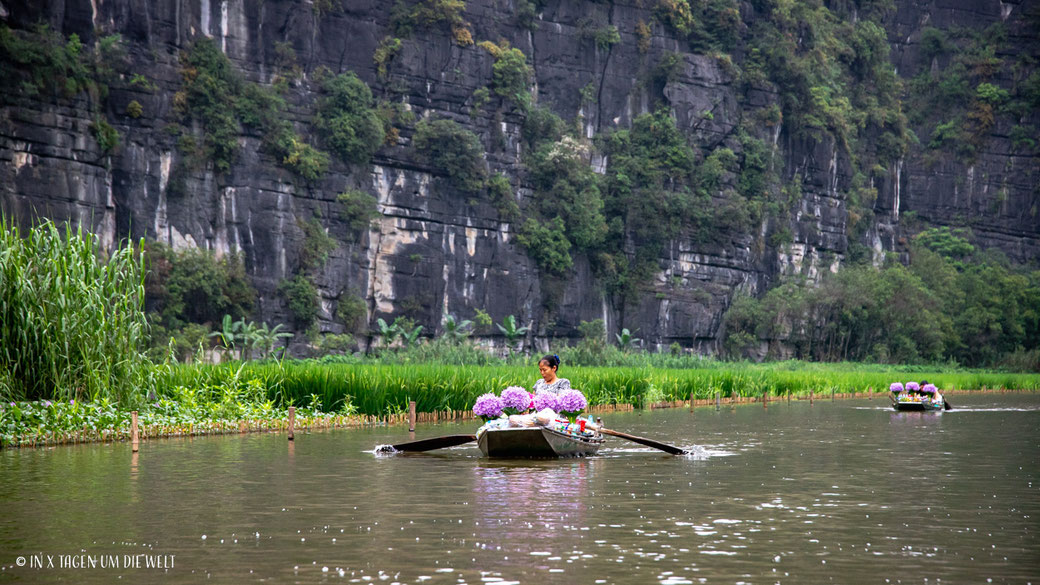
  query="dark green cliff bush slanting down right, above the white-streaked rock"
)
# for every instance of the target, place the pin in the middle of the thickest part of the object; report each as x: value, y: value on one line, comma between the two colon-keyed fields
x: 454, y: 150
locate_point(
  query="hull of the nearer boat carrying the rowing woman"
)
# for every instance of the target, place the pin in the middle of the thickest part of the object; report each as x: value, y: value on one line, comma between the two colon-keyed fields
x: 537, y: 442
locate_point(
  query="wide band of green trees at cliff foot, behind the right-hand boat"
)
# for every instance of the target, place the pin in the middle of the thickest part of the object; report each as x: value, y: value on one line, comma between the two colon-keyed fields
x: 940, y: 309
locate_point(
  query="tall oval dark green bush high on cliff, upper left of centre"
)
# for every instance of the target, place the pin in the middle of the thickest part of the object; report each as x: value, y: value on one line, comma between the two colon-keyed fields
x: 347, y: 119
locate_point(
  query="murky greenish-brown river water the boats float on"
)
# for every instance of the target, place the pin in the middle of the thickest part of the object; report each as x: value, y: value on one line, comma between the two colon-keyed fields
x: 847, y: 492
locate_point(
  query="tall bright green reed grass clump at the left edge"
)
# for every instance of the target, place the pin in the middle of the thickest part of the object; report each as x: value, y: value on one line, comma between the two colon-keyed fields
x: 72, y: 323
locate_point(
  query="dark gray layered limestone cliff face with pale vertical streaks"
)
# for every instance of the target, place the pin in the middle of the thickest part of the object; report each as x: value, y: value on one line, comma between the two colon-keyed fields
x: 436, y: 251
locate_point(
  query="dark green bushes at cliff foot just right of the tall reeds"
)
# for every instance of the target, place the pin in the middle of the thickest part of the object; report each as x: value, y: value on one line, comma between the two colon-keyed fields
x: 194, y: 287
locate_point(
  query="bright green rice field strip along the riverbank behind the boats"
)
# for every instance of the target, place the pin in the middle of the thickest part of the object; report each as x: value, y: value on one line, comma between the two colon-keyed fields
x: 378, y: 390
